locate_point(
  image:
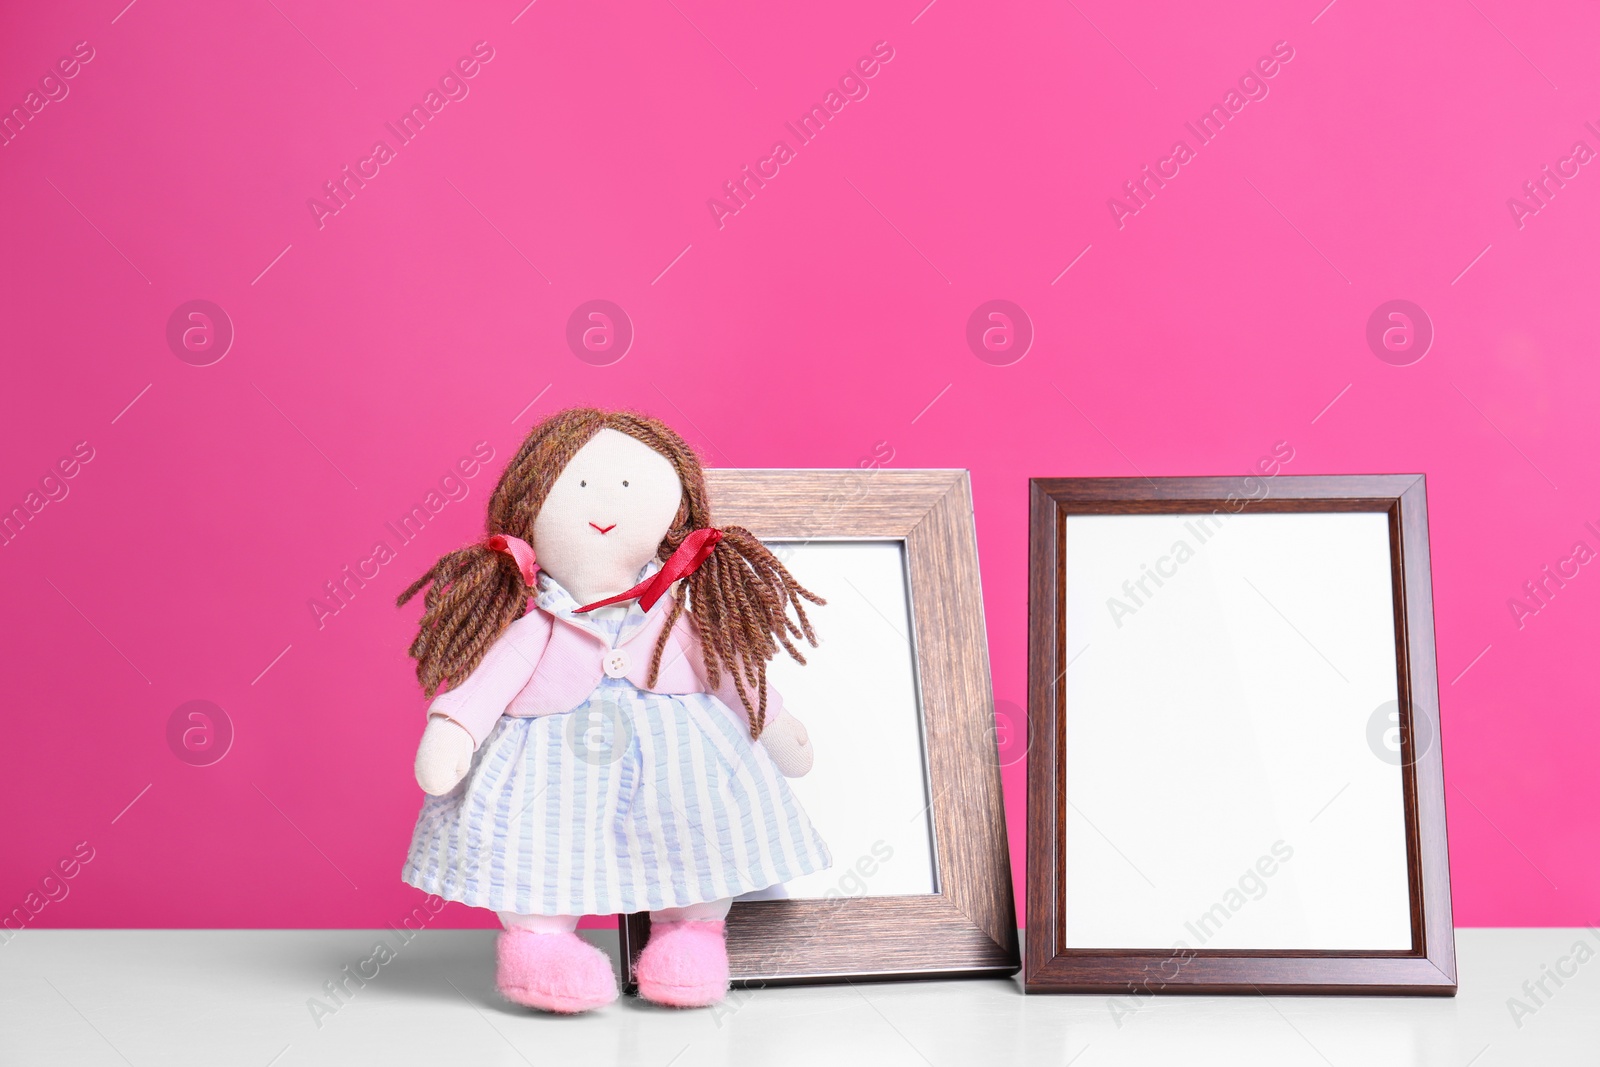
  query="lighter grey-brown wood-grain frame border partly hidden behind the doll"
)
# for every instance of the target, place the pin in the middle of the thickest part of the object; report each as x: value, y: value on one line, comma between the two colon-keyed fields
x: 969, y: 927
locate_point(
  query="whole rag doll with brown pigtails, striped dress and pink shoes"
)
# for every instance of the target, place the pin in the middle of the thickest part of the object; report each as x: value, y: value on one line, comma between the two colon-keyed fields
x: 602, y: 738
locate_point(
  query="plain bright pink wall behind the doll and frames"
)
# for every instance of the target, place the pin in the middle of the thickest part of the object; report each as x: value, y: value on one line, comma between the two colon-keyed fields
x: 375, y: 350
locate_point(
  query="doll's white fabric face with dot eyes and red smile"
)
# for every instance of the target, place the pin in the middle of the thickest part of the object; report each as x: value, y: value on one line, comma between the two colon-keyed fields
x: 606, y: 516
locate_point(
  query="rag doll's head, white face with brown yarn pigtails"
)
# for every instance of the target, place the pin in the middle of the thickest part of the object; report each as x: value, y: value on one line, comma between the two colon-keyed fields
x: 599, y: 495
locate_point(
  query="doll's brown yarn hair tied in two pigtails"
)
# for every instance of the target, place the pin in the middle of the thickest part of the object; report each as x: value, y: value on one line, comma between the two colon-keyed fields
x: 740, y: 597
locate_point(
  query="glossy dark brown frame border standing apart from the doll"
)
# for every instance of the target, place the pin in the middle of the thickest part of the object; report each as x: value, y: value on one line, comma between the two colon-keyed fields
x: 1050, y: 965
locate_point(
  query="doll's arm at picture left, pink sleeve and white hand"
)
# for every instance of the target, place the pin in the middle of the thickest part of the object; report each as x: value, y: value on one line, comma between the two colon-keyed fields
x: 462, y: 719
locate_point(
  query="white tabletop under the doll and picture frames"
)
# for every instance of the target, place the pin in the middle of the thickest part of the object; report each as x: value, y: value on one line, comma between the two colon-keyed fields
x: 246, y: 999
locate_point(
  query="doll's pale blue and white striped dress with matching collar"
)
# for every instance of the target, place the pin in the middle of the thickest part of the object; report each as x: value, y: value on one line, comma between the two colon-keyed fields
x: 631, y: 802
